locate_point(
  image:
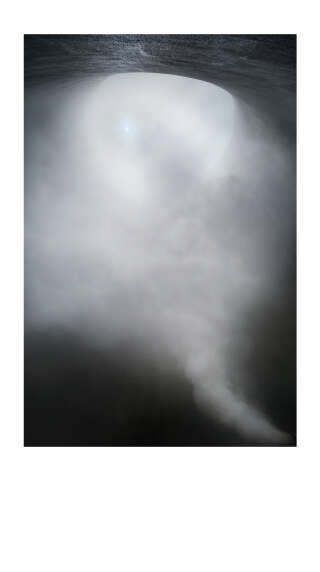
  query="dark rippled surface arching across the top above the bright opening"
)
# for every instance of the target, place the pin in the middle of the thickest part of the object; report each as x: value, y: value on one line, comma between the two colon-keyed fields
x: 259, y: 69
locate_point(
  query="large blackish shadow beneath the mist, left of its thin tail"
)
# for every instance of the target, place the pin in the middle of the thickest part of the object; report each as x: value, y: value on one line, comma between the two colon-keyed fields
x: 76, y: 395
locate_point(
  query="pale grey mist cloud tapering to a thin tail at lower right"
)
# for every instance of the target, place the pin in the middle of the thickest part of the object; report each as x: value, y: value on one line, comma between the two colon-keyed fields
x: 153, y: 211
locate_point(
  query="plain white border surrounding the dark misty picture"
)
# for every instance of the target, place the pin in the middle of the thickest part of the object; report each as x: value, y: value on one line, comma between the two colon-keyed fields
x: 171, y: 509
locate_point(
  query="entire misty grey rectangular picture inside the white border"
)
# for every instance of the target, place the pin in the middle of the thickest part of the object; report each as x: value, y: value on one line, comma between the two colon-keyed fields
x: 160, y: 240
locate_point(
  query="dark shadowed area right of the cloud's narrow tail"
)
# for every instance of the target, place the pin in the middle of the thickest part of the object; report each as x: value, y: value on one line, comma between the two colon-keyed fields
x: 265, y: 358
